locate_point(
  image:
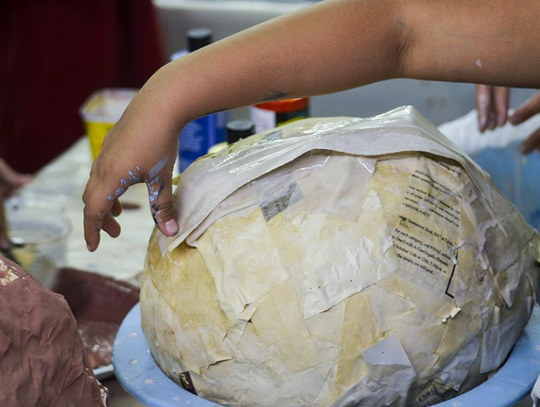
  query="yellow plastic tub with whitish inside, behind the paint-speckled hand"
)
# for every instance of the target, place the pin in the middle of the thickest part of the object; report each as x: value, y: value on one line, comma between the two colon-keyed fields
x: 100, y: 113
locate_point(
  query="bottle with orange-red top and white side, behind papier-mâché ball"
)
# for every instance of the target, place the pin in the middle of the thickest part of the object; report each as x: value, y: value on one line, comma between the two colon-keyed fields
x: 268, y: 115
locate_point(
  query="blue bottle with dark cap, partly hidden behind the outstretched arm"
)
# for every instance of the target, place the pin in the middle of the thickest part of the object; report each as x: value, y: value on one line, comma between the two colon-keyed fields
x: 199, y: 135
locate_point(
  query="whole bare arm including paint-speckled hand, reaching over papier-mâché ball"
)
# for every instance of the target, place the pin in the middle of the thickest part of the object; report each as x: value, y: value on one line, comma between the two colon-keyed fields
x: 328, y: 47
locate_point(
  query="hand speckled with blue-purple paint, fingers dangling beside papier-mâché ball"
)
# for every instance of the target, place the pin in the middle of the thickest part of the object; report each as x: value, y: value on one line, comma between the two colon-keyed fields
x: 136, y: 150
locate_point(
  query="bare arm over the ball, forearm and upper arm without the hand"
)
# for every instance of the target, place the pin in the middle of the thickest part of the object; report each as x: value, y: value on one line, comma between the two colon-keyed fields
x: 341, y: 44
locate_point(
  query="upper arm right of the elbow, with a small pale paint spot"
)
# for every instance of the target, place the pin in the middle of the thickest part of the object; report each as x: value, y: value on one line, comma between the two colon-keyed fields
x: 489, y: 42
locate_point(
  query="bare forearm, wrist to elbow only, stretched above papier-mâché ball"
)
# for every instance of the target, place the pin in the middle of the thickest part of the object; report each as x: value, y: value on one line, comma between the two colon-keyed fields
x: 328, y: 47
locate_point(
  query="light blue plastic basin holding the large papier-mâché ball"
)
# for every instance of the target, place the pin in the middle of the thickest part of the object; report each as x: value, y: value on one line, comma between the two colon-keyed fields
x: 139, y: 374
